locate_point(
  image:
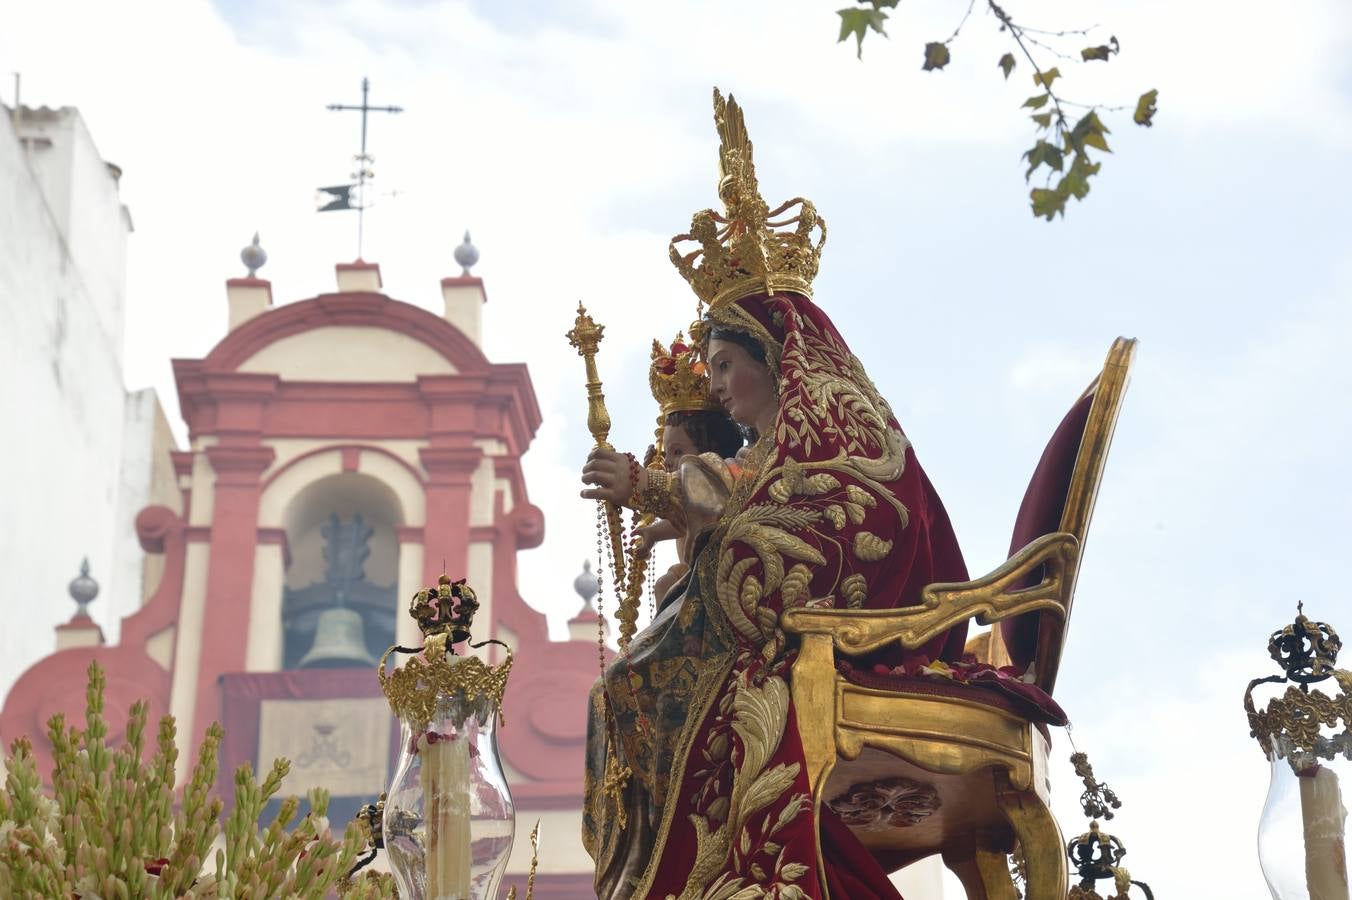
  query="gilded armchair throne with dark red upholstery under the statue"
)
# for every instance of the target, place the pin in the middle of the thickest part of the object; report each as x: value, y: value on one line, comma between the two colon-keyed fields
x: 957, y: 768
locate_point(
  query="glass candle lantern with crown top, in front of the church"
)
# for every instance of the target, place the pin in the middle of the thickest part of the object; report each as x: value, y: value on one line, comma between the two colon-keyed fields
x: 448, y: 821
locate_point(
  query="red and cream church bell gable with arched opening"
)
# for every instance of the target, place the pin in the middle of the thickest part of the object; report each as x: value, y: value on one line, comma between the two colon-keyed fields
x: 344, y: 452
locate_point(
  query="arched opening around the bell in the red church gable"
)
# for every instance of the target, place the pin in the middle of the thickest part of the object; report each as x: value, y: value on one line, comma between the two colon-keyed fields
x: 341, y: 530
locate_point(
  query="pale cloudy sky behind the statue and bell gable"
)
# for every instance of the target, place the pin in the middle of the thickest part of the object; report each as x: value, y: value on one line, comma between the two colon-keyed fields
x: 575, y: 139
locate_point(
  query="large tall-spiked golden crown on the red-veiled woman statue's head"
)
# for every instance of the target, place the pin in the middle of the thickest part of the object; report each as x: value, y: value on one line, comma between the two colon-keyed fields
x: 751, y: 248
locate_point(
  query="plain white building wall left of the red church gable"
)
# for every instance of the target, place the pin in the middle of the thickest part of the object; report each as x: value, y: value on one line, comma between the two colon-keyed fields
x: 64, y: 410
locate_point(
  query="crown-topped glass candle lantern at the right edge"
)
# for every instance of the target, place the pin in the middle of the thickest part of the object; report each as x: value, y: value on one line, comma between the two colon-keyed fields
x: 1307, y: 736
